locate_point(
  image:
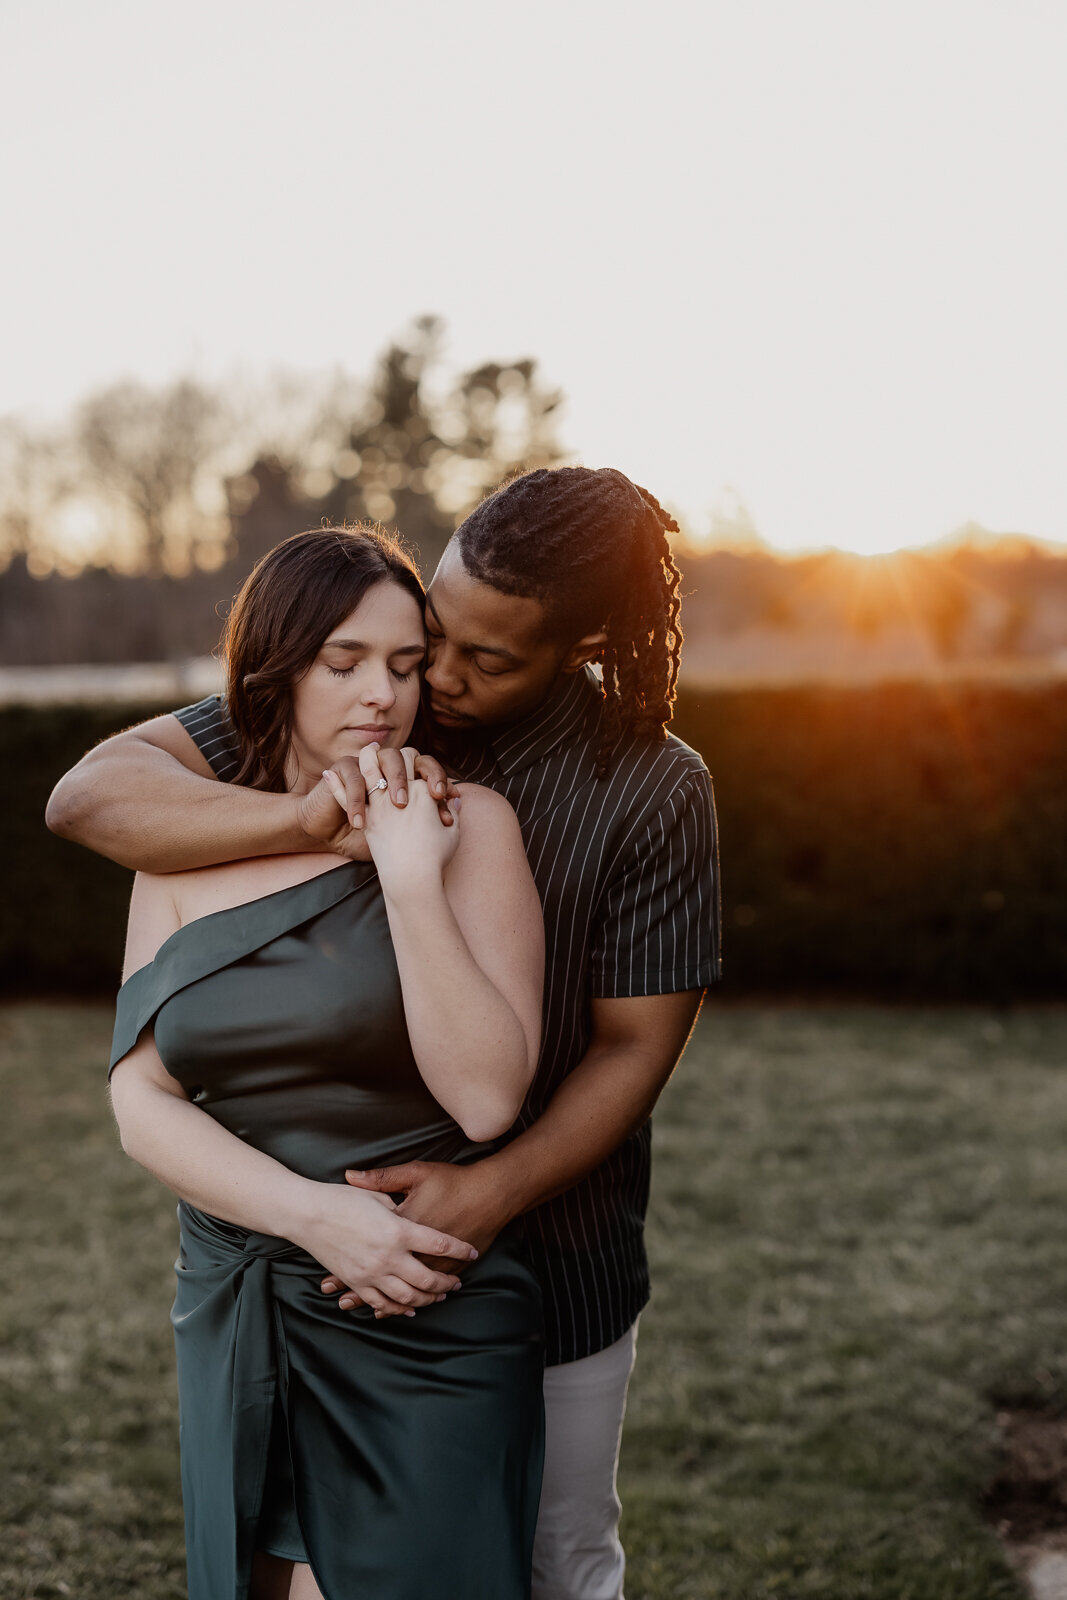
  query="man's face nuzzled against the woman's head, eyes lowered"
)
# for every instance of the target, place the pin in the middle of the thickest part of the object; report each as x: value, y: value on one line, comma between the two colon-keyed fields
x: 492, y: 658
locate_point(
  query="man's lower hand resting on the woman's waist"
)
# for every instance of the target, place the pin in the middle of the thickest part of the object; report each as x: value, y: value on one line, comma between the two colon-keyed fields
x: 462, y: 1201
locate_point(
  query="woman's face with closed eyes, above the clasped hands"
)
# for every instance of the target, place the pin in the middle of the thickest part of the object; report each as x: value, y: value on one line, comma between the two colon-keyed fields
x: 362, y: 687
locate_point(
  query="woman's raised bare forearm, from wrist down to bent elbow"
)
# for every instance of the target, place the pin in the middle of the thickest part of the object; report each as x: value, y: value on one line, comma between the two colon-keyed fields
x: 466, y: 1038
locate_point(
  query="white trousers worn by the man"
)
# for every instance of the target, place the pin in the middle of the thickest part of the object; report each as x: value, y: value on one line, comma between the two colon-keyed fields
x: 577, y: 1548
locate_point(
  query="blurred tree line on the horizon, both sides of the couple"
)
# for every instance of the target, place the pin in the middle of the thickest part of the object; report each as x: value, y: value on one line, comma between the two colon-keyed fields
x: 126, y: 534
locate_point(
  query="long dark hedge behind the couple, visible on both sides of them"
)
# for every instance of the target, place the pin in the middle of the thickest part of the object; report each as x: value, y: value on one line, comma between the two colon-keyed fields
x: 898, y: 839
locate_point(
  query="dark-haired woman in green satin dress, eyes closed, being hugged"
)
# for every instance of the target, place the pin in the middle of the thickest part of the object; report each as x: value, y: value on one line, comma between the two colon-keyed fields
x: 284, y: 1020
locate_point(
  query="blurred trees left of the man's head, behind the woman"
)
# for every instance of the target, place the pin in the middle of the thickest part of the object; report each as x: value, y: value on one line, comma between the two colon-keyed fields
x: 126, y: 534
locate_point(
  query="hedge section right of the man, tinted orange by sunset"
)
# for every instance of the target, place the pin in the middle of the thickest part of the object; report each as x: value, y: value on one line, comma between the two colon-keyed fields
x: 895, y: 839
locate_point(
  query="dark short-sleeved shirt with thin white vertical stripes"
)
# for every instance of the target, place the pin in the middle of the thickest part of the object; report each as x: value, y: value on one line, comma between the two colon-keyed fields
x: 628, y: 874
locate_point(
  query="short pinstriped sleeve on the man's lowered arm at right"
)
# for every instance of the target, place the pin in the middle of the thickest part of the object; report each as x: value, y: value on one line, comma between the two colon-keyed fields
x: 660, y: 932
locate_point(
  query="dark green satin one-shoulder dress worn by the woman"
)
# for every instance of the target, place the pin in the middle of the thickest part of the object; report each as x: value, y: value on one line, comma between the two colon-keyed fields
x: 402, y: 1458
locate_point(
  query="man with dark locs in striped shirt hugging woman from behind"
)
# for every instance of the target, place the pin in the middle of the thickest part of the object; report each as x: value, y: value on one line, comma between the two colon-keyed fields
x: 557, y: 570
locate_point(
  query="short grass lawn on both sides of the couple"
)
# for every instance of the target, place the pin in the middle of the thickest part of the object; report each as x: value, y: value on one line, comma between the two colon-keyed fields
x: 858, y: 1252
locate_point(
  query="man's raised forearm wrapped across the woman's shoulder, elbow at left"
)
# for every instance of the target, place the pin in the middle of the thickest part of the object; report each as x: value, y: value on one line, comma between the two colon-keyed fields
x: 145, y: 810
